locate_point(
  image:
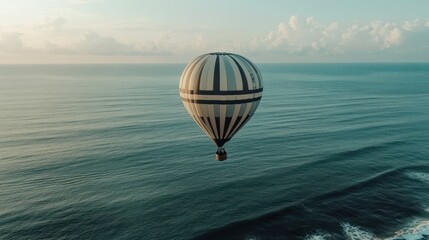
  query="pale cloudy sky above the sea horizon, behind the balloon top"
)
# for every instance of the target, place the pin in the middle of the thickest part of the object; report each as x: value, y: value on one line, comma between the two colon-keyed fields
x: 176, y: 31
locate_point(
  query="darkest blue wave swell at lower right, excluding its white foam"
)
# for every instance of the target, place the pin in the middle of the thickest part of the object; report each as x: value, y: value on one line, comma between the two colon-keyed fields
x: 380, y: 204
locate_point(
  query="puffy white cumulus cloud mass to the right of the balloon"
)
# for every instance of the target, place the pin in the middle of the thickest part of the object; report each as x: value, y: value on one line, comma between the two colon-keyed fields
x: 309, y: 37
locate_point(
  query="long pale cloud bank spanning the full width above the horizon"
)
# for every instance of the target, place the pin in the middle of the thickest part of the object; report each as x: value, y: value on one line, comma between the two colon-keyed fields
x: 296, y: 36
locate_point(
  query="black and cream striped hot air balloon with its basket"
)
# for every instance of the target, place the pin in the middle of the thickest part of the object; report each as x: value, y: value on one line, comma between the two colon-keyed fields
x: 221, y: 92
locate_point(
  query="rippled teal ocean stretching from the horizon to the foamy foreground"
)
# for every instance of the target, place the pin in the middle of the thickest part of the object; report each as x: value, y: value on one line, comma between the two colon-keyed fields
x: 334, y: 151
